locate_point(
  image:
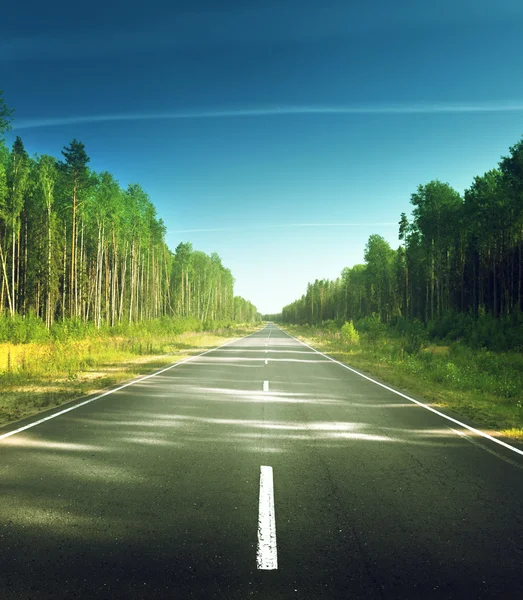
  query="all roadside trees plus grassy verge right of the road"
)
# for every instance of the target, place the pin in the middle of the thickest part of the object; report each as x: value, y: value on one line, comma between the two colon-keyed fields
x: 441, y: 315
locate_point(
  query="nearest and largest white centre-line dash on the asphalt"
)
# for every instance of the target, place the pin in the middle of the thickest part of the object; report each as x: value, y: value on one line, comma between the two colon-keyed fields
x: 267, y: 554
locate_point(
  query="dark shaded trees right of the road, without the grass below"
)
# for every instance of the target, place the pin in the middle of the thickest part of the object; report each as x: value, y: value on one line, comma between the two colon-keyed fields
x: 460, y: 255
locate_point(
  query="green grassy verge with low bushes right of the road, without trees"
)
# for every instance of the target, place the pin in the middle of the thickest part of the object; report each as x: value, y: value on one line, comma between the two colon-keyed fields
x: 483, y: 385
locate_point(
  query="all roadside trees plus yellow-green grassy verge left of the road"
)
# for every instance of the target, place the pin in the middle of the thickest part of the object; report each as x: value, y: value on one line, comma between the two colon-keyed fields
x: 90, y: 293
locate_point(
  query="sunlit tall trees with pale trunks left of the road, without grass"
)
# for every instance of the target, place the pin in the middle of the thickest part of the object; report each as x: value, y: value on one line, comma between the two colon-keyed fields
x: 75, y: 245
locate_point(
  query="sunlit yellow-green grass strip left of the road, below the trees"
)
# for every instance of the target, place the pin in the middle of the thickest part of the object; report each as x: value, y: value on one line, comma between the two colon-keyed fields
x: 40, y: 375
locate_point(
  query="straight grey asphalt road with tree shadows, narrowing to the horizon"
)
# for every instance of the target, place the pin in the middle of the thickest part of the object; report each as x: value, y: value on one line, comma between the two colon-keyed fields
x: 153, y: 491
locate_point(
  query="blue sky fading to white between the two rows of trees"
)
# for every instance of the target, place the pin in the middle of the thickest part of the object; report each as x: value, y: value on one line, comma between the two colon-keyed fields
x: 278, y: 134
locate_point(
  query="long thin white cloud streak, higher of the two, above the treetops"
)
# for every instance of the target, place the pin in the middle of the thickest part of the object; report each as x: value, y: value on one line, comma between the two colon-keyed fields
x: 403, y: 109
